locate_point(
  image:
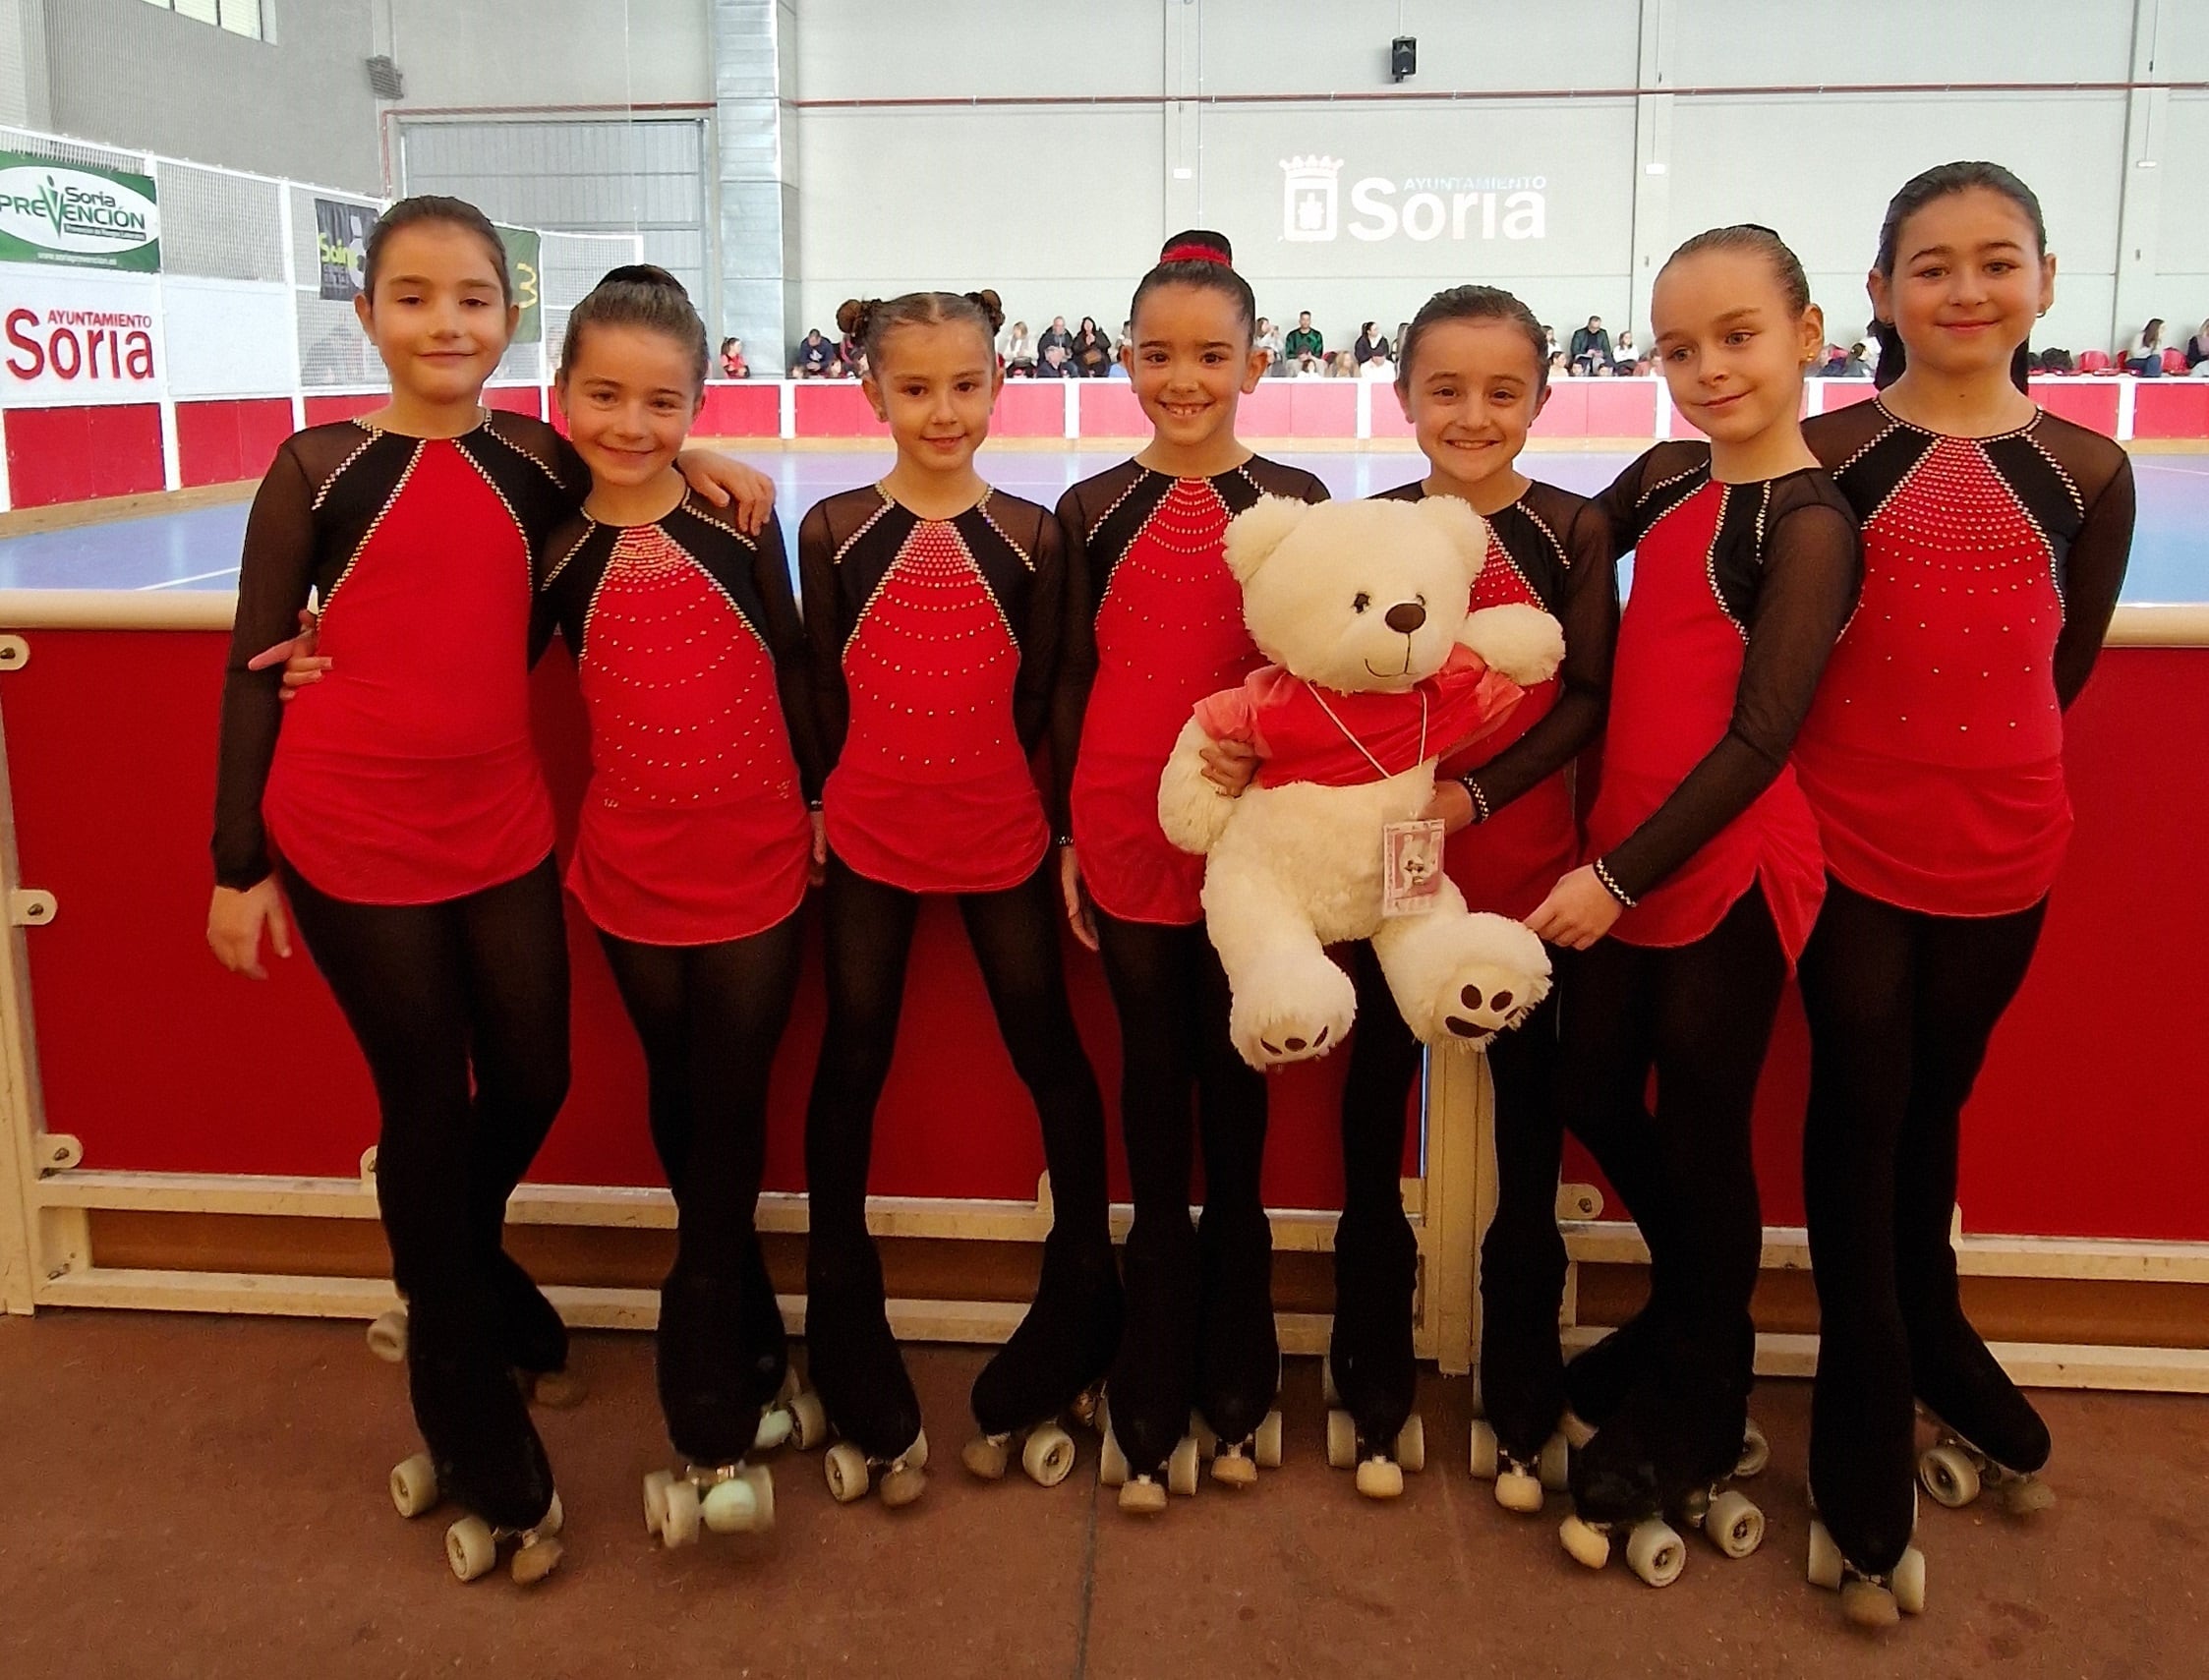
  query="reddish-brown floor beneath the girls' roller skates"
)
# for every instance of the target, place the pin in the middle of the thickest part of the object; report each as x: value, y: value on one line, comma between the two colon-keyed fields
x: 204, y: 1498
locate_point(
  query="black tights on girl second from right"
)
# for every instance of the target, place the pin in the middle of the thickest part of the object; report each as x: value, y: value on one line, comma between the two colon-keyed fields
x: 1702, y: 1019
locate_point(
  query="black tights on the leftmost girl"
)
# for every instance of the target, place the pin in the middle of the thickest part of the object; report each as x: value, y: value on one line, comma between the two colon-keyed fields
x: 463, y: 1014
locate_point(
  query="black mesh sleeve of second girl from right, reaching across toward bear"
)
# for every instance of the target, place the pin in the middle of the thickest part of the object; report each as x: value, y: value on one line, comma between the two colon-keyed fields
x: 1812, y: 573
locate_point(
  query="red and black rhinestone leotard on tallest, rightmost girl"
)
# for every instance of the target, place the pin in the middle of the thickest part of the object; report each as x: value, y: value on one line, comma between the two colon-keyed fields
x: 1934, y: 756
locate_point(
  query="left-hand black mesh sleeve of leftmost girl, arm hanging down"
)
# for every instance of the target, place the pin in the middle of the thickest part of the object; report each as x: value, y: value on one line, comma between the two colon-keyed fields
x: 275, y: 577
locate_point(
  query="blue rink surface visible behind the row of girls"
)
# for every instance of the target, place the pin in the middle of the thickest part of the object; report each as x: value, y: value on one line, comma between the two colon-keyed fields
x: 200, y: 551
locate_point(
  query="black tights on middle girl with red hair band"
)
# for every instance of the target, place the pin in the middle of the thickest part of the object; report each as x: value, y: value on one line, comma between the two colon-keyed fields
x: 1201, y: 1315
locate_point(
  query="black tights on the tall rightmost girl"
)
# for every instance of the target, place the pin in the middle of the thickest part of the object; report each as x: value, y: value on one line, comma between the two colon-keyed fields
x: 1901, y: 1010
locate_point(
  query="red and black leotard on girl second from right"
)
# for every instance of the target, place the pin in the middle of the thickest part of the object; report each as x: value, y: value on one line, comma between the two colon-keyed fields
x: 1737, y: 597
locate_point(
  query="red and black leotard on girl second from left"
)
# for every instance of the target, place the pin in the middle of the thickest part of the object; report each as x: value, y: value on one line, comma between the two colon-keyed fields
x: 693, y: 663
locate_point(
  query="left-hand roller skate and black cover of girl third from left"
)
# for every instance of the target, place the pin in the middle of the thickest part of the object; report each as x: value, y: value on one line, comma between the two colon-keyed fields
x: 860, y: 1379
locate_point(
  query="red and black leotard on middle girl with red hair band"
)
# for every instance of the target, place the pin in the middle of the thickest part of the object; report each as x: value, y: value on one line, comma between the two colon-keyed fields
x: 1156, y: 628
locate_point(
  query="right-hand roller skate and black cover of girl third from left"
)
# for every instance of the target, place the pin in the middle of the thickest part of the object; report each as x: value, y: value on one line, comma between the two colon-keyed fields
x: 1053, y: 1368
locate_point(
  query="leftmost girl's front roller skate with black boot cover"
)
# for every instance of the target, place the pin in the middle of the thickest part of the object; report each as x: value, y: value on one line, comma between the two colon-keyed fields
x: 472, y: 1416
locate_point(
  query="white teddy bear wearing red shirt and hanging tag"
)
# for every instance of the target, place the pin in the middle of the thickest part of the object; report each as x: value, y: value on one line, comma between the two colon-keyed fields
x: 1377, y: 670
